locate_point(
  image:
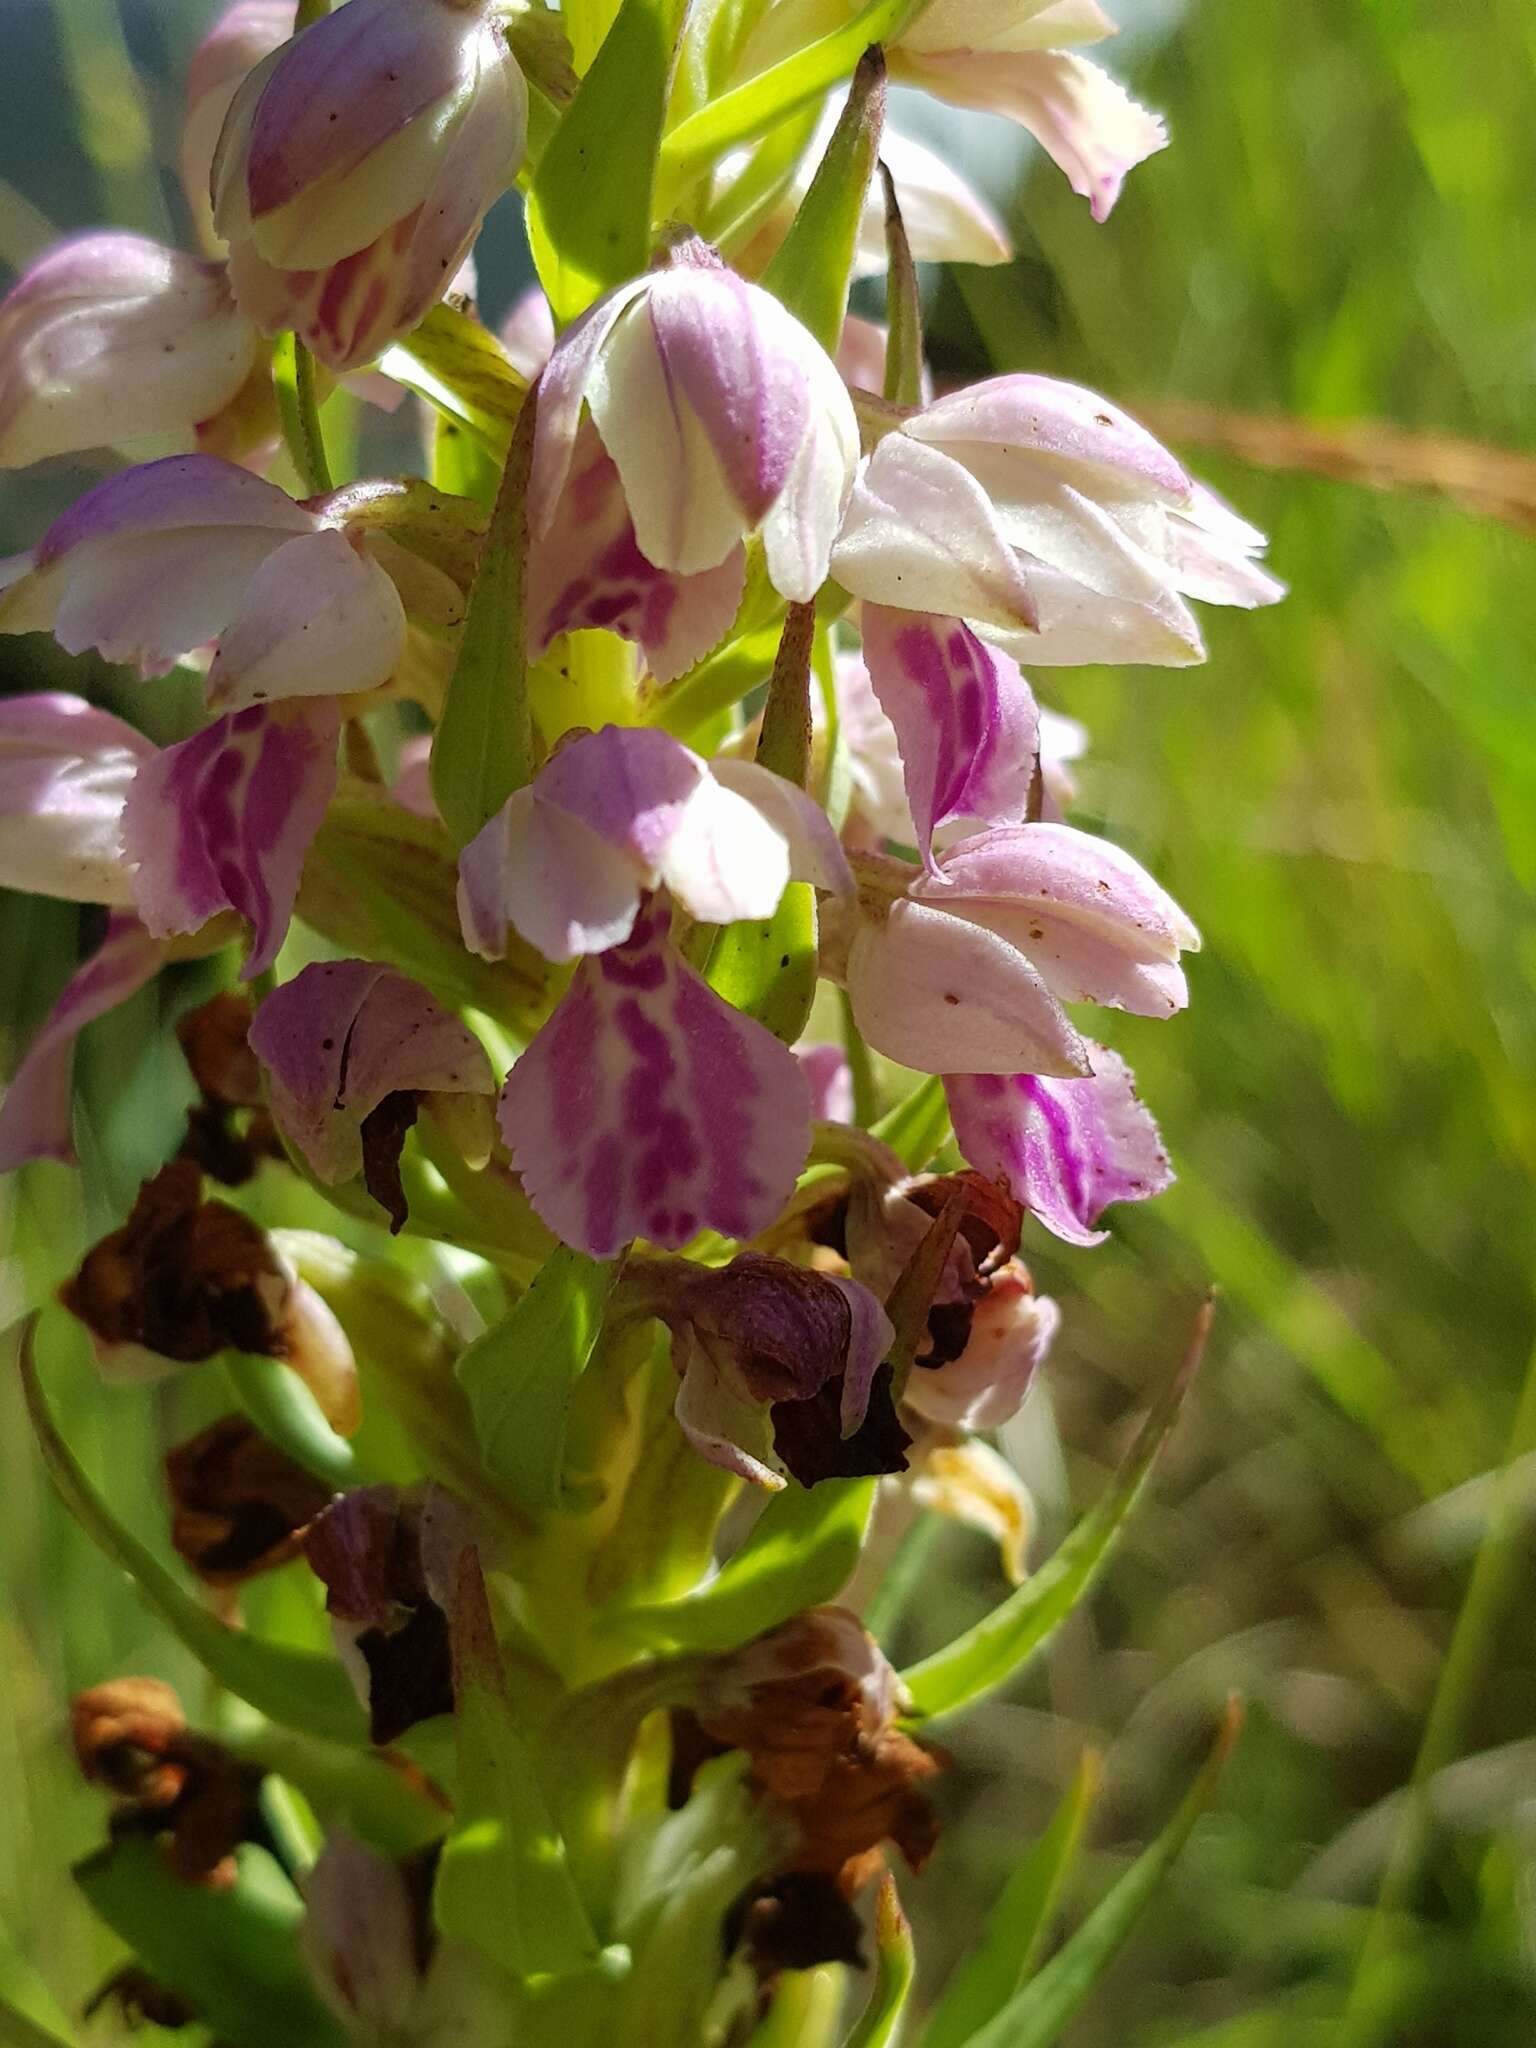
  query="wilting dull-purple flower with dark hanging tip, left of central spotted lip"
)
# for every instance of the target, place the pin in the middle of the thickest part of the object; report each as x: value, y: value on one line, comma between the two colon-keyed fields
x: 353, y: 1052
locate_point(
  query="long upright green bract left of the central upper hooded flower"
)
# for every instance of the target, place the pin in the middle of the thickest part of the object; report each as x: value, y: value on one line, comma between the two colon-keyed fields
x: 484, y: 744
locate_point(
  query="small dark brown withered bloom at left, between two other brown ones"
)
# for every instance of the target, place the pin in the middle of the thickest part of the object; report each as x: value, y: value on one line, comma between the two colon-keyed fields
x: 239, y: 1504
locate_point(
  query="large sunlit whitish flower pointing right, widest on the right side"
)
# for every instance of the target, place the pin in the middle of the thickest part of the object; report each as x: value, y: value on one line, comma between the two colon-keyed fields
x: 1050, y: 519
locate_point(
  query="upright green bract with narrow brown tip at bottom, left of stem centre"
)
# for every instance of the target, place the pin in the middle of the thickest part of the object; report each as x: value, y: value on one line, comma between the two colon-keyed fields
x: 503, y: 1881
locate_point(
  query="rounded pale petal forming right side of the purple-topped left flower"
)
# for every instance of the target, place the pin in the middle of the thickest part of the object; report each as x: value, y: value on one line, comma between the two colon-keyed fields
x: 318, y: 620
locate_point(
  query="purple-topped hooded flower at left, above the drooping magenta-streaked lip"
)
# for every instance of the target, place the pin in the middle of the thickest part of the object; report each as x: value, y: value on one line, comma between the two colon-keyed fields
x: 163, y: 560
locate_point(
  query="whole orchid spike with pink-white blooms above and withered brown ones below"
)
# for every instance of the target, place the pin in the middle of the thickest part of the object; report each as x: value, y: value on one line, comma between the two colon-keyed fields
x: 636, y: 898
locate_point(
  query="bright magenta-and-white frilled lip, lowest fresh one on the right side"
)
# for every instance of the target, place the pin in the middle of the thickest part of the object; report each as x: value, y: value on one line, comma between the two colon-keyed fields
x: 1066, y: 1148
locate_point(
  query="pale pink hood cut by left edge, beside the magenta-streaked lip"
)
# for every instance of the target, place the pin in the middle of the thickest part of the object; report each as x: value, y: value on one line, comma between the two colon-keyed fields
x: 65, y: 775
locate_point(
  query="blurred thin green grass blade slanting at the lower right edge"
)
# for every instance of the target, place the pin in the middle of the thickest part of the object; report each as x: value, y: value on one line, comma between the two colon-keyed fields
x: 1369, y: 2012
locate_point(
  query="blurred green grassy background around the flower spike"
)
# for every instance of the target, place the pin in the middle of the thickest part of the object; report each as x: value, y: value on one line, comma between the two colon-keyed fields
x: 1347, y: 802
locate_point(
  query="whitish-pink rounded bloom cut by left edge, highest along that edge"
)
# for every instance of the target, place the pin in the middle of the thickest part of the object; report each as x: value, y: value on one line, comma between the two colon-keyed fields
x: 110, y: 339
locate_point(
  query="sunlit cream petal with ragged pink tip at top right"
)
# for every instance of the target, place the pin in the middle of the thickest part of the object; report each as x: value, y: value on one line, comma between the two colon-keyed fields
x: 1086, y: 122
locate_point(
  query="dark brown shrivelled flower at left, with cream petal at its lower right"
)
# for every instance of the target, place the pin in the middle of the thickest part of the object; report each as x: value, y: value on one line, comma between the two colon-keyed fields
x: 183, y: 1277
